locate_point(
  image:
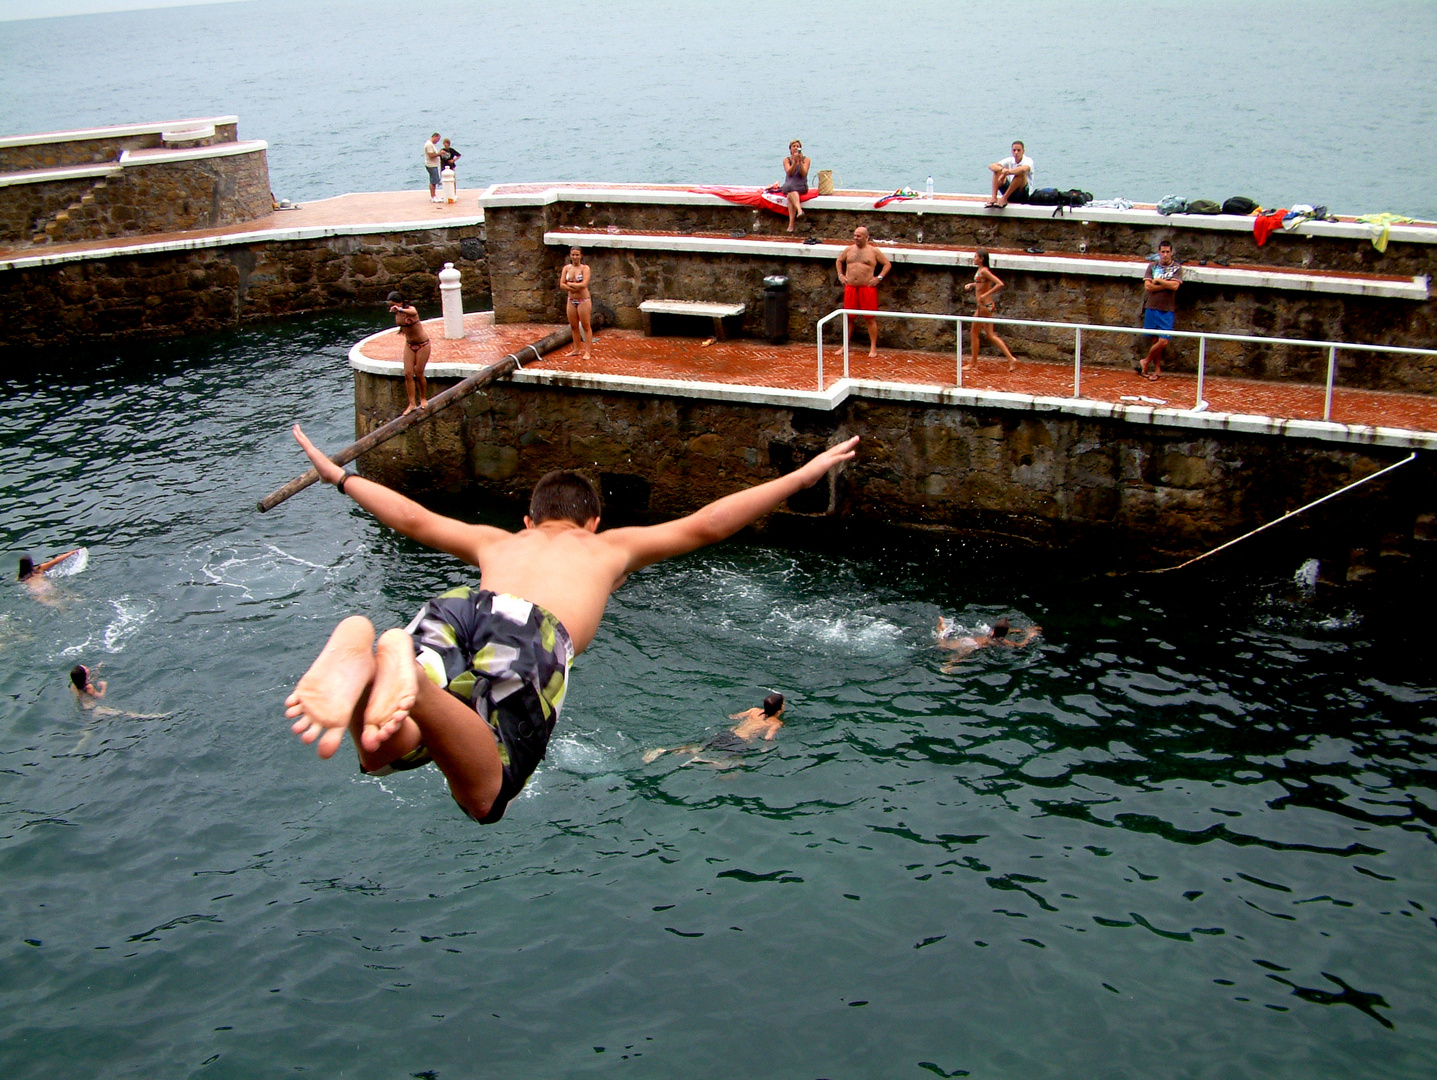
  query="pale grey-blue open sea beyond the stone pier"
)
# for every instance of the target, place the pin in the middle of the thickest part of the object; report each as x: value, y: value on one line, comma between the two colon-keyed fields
x: 1310, y: 101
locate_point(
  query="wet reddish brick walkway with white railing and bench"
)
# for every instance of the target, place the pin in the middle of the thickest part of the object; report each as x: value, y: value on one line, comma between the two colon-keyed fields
x: 793, y: 367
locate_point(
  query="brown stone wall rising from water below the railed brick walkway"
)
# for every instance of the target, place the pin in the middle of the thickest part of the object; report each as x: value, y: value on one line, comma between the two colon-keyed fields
x: 1126, y: 490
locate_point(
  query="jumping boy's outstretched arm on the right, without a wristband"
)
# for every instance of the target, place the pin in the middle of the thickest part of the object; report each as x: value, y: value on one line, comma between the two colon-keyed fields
x: 724, y: 518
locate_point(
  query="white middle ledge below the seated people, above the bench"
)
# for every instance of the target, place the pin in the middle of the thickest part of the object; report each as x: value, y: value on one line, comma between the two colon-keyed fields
x: 1287, y: 281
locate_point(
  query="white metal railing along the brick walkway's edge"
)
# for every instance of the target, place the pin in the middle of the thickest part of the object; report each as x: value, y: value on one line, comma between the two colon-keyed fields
x: 1203, y: 338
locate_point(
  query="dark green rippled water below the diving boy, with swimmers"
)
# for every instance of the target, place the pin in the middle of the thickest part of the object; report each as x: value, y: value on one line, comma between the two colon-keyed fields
x: 1189, y: 834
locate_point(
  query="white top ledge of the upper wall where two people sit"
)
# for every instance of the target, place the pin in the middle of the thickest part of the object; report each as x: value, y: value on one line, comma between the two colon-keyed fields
x: 955, y: 205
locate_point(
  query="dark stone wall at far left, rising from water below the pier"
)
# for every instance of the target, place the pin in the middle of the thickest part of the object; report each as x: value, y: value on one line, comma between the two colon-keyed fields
x: 216, y: 288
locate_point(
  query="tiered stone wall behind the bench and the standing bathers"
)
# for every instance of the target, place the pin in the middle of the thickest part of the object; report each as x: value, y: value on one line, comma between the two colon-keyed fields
x: 525, y: 272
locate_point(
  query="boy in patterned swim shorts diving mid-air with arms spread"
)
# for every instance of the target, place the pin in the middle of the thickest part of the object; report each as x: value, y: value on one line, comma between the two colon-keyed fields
x: 479, y: 686
